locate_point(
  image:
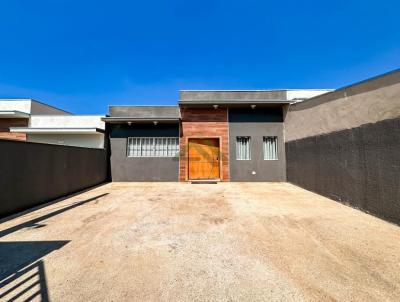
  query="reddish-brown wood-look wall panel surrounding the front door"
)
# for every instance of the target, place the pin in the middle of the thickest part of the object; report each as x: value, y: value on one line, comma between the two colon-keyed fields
x: 204, y: 122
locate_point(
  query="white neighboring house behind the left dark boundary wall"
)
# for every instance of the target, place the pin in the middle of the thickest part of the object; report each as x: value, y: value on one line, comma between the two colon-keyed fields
x: 34, y: 121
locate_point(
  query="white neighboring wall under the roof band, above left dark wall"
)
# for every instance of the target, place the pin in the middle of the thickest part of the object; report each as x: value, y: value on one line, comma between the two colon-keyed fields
x: 81, y: 140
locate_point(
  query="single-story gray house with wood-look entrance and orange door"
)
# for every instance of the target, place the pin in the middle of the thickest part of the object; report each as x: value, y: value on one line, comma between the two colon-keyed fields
x: 218, y: 135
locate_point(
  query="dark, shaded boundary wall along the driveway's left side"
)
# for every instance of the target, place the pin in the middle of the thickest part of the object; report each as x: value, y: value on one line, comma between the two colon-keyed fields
x: 33, y: 173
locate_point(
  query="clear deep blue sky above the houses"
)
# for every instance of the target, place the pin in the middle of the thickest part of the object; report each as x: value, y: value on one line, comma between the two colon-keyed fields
x: 84, y: 55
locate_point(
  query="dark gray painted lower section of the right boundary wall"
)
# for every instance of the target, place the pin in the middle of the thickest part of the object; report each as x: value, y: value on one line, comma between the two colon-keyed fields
x: 359, y: 167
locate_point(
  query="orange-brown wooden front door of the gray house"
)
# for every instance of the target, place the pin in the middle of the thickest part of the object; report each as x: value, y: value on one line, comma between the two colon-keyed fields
x: 203, y: 158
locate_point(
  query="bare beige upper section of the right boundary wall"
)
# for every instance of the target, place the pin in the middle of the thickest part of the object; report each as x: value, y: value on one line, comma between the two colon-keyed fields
x: 368, y: 102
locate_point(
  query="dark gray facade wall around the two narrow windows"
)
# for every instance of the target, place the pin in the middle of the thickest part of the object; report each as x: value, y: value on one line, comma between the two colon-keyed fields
x: 256, y: 123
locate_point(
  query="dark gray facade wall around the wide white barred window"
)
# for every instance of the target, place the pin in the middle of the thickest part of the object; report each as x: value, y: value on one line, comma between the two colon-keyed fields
x: 125, y: 168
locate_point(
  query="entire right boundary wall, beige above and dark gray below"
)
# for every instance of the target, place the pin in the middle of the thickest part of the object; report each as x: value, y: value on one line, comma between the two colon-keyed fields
x: 345, y: 145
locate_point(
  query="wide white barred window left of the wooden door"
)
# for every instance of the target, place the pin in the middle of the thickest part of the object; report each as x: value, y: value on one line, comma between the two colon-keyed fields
x: 153, y: 146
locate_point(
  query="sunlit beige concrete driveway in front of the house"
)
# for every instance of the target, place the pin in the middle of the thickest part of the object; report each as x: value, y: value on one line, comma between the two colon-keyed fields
x: 209, y: 242
